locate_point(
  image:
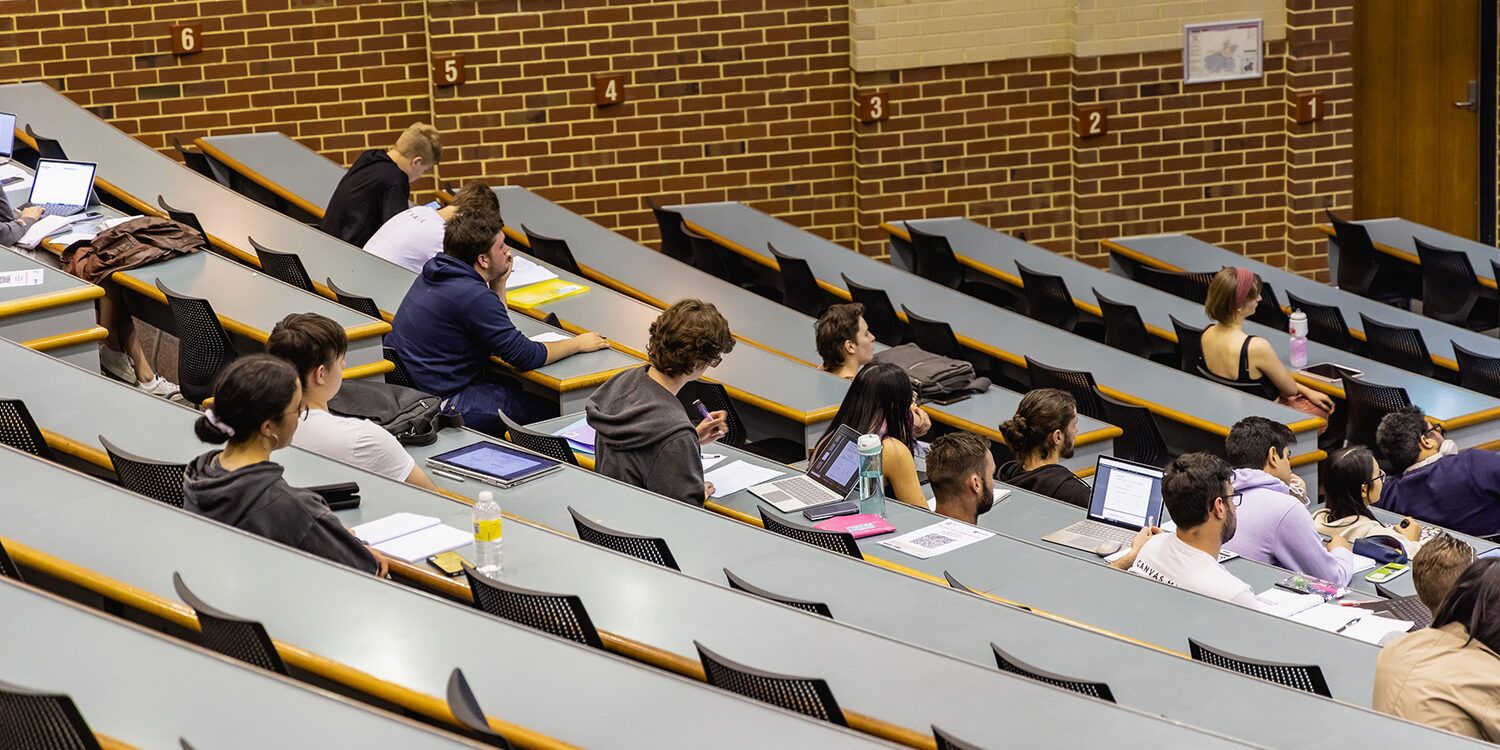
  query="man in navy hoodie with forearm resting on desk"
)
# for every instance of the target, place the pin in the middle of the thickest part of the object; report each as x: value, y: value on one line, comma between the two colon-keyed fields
x: 454, y: 319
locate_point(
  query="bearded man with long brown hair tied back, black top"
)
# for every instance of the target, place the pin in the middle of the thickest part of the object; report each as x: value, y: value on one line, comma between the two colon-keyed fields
x: 1042, y: 434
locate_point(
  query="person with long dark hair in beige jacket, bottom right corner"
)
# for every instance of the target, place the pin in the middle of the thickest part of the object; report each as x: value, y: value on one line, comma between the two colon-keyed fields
x: 1448, y: 676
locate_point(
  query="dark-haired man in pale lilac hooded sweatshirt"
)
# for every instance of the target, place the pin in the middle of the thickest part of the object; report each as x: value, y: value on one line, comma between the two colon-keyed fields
x: 1274, y: 526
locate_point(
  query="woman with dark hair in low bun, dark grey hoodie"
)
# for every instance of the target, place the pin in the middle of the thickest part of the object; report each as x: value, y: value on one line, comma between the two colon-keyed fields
x: 257, y: 409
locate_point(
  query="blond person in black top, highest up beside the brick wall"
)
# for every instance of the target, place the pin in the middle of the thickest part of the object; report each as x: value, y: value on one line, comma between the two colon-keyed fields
x: 379, y: 185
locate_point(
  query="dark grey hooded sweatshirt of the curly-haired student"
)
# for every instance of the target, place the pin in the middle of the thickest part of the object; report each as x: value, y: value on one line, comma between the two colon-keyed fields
x: 644, y: 437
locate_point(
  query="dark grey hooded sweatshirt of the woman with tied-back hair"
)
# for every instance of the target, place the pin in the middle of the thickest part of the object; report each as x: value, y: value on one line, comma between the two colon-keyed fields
x: 256, y: 499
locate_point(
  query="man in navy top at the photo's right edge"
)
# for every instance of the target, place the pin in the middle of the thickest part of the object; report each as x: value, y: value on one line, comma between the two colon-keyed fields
x: 1433, y: 481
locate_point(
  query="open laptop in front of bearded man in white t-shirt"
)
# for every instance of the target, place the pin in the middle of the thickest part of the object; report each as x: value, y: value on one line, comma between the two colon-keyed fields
x: 1126, y: 497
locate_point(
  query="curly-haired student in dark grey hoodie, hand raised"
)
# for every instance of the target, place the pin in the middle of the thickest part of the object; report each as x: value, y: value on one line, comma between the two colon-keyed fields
x: 643, y: 434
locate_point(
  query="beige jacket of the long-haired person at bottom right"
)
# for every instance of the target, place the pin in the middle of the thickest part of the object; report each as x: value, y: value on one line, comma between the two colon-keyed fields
x: 1435, y: 679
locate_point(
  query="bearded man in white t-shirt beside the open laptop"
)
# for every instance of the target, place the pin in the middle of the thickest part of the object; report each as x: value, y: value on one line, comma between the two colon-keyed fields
x: 1202, y: 502
